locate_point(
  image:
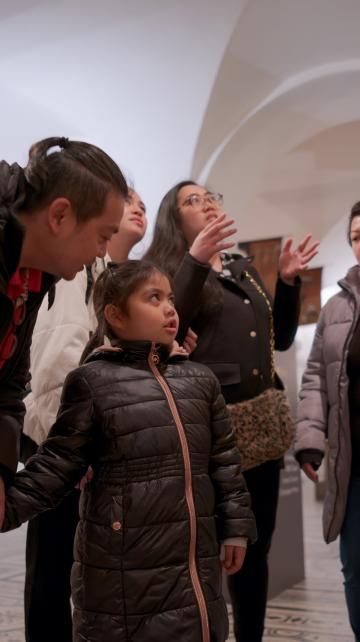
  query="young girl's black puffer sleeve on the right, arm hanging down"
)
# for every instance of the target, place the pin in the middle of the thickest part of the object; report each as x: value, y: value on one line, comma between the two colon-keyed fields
x: 233, y: 512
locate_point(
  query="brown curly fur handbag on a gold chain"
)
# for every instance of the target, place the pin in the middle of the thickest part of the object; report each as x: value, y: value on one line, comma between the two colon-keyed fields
x: 263, y: 427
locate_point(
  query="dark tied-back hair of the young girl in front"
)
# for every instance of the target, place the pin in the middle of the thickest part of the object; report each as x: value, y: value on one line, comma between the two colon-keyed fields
x: 114, y: 286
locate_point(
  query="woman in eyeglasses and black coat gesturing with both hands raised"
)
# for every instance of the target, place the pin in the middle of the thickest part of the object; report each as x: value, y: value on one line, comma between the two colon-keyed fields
x: 231, y: 317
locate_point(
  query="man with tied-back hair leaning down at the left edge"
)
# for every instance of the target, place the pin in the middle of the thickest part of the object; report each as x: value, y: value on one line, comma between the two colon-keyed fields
x: 56, y: 214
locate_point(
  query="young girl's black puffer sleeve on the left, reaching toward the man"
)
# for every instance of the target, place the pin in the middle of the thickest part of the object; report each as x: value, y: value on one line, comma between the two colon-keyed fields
x: 60, y: 462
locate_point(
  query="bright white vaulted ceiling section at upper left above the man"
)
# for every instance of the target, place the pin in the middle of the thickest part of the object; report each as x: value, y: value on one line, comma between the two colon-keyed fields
x: 133, y: 77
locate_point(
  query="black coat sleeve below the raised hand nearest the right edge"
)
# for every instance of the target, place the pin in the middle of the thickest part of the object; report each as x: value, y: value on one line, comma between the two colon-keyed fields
x: 286, y: 312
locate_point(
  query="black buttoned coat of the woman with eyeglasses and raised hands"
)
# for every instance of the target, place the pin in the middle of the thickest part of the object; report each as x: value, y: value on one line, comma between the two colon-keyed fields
x: 234, y: 332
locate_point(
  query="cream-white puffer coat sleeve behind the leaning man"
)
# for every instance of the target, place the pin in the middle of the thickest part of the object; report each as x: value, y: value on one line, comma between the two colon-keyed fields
x: 60, y: 336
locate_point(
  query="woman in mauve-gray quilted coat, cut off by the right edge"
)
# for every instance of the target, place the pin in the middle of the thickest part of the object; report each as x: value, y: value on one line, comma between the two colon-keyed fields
x: 329, y: 410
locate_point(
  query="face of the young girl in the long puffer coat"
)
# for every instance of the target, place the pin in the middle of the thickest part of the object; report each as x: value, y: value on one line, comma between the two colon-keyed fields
x: 151, y: 314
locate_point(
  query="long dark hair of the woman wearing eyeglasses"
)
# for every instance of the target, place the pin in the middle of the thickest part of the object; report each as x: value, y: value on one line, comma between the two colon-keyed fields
x: 169, y: 245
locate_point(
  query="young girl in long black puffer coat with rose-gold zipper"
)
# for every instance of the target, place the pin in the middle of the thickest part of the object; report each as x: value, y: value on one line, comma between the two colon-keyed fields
x: 167, y: 485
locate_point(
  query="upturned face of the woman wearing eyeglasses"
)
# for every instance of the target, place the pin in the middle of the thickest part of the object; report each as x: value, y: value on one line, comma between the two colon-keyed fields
x: 197, y: 207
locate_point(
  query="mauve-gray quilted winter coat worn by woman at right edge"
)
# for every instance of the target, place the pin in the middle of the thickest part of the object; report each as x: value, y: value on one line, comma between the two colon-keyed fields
x: 323, y: 410
